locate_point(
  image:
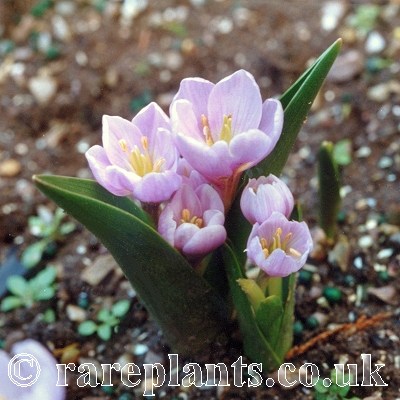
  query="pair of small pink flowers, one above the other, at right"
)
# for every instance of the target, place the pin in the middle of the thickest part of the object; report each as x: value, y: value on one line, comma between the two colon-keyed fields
x: 276, y: 245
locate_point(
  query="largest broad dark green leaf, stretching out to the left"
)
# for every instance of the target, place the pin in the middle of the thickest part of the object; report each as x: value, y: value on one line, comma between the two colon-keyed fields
x: 190, y: 313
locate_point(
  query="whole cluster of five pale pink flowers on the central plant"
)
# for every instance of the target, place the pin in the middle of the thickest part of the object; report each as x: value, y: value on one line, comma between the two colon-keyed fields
x: 189, y: 165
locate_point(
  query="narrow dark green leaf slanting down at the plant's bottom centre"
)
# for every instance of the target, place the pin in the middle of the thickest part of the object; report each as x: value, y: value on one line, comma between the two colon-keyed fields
x: 255, y: 345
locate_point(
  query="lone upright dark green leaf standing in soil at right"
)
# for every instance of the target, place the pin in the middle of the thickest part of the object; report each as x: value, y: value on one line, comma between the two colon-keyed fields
x: 329, y: 190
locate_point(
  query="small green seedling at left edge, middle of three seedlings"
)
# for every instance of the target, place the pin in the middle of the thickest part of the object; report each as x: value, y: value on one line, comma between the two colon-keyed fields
x: 25, y: 293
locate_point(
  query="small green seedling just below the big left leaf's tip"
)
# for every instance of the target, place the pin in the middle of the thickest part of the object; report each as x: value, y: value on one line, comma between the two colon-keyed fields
x: 50, y: 229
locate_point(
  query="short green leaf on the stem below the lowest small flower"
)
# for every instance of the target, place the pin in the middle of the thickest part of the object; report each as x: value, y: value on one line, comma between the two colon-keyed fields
x: 269, y: 317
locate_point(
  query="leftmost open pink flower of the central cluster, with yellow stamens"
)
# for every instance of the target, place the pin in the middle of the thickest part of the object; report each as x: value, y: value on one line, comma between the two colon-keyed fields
x: 138, y: 158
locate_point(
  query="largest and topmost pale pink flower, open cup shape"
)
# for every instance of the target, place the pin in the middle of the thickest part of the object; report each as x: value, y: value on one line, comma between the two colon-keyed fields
x: 223, y: 129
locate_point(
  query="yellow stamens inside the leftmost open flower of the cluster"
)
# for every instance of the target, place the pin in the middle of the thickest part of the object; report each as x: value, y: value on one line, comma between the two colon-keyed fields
x: 141, y: 161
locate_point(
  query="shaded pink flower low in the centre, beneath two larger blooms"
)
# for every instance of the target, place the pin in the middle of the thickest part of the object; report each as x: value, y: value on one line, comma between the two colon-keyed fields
x: 193, y: 221
